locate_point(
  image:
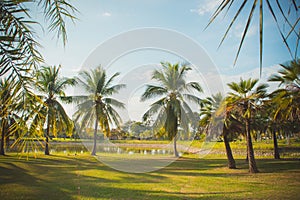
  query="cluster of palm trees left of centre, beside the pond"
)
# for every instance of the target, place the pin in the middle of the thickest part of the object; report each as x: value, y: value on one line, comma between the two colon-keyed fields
x: 32, y: 109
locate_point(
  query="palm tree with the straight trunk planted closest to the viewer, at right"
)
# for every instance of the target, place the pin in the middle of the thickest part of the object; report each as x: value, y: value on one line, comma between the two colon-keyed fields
x: 244, y: 99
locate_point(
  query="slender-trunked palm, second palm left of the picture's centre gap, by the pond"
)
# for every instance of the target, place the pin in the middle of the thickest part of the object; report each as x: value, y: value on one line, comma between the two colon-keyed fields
x: 97, y: 106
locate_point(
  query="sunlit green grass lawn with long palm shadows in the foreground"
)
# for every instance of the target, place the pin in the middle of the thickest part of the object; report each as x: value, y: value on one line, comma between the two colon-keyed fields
x: 63, y: 176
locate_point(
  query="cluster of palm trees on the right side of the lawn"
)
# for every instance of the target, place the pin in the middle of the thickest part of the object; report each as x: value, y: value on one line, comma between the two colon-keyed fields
x: 248, y: 109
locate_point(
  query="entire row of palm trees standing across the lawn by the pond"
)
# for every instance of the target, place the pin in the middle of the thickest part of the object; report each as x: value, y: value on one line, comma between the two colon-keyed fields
x: 32, y: 109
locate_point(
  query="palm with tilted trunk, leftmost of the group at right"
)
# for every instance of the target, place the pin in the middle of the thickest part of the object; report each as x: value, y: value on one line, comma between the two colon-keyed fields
x: 215, y: 119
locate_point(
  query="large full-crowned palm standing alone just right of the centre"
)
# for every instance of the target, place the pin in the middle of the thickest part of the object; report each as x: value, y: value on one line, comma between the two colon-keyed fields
x: 173, y: 91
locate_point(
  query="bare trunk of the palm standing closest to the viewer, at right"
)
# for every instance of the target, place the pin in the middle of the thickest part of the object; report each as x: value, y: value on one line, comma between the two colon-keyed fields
x: 250, y: 152
